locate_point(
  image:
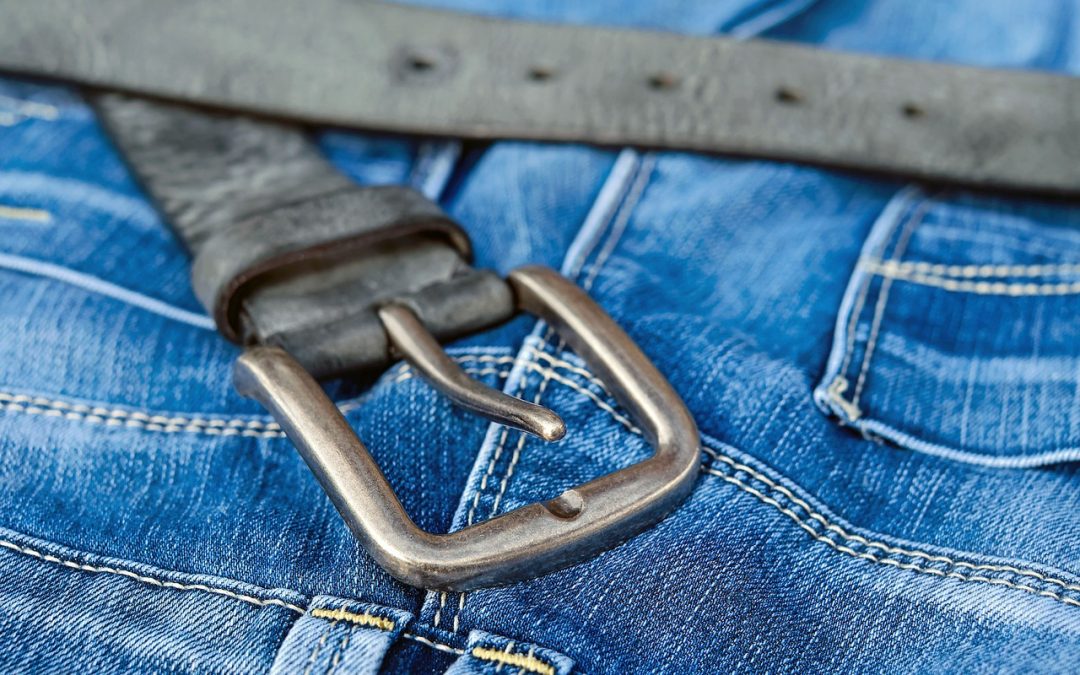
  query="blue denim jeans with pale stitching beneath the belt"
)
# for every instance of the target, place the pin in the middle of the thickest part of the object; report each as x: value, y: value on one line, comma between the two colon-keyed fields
x: 885, y: 377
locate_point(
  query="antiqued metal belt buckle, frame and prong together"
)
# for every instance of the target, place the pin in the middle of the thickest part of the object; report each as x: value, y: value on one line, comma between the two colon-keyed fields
x: 529, y: 542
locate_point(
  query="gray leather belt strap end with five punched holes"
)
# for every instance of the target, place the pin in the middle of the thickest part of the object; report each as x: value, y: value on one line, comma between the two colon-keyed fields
x: 385, y: 67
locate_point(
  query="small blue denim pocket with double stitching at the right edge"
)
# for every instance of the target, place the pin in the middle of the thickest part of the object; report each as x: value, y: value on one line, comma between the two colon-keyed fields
x: 960, y: 334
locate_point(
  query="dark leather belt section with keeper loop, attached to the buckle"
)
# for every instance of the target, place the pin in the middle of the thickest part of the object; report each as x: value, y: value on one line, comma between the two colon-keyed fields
x: 290, y: 252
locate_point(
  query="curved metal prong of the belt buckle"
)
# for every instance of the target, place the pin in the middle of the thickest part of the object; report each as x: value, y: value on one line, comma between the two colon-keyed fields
x: 412, y: 340
